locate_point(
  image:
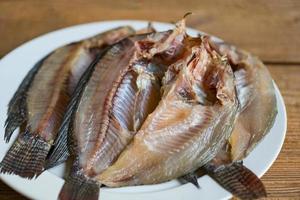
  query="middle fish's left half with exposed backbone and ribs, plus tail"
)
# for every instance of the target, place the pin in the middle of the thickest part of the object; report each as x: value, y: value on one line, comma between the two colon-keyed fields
x: 124, y: 83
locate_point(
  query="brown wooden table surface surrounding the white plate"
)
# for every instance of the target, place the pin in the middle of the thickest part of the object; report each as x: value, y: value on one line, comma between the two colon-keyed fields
x: 268, y: 29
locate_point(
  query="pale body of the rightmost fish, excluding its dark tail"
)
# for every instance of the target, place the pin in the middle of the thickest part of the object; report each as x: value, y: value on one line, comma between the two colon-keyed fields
x: 257, y: 99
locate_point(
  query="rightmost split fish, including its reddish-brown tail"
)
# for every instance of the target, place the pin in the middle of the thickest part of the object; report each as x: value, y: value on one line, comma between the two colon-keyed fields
x: 257, y: 112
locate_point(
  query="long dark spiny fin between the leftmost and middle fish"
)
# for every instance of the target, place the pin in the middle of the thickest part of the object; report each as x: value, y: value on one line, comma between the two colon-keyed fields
x: 63, y: 145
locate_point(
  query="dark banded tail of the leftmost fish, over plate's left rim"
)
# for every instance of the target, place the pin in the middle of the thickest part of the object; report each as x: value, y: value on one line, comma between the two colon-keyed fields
x: 26, y: 157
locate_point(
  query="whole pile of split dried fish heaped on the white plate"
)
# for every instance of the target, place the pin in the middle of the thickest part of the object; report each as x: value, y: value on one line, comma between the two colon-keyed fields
x: 142, y: 107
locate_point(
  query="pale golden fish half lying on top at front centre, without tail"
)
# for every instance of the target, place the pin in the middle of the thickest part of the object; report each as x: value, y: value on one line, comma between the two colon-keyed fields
x: 188, y: 127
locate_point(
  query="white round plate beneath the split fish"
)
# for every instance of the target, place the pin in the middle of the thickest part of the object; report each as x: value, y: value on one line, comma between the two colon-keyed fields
x: 15, y: 65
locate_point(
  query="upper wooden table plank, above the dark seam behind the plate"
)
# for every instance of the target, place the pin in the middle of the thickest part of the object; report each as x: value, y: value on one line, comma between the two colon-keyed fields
x: 269, y: 29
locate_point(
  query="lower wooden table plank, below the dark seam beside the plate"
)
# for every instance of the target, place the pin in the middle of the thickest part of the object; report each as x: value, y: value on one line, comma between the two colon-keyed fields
x: 283, y: 179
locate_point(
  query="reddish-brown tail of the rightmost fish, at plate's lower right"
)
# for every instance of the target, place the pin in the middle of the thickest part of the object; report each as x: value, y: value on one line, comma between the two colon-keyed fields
x: 238, y: 180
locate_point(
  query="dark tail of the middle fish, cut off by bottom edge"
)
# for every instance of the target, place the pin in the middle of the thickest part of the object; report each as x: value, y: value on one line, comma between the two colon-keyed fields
x: 77, y: 187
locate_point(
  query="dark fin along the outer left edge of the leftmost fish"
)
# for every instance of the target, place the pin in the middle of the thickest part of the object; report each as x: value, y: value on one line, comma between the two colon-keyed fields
x: 17, y: 108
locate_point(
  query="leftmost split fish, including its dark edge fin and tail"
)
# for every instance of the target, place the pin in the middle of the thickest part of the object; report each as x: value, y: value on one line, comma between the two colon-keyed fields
x: 40, y: 101
